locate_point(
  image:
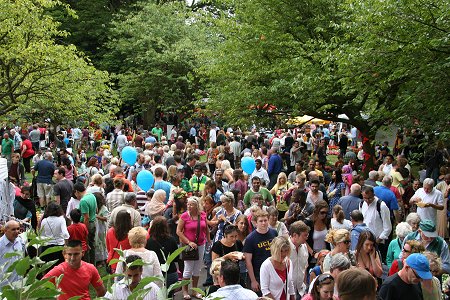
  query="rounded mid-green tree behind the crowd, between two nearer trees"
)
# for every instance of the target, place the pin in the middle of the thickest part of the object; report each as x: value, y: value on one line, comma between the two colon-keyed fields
x: 153, y: 53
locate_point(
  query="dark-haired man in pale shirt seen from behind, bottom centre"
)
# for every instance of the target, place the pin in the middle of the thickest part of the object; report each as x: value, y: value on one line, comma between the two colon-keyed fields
x: 230, y: 289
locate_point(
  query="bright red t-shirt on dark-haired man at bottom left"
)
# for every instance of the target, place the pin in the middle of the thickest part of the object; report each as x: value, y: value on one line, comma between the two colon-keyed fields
x: 75, y: 282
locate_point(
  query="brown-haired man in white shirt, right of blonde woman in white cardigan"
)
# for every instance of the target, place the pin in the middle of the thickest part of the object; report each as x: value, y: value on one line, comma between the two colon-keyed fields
x: 299, y: 233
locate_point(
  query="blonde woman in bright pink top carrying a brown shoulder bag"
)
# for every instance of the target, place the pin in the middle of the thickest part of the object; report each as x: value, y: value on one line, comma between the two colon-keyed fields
x: 187, y: 232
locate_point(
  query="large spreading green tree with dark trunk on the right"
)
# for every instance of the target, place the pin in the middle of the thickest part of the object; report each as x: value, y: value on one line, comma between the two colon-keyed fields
x: 370, y: 60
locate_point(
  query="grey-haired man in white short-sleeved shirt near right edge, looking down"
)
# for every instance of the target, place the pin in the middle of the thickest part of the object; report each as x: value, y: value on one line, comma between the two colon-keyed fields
x: 428, y: 200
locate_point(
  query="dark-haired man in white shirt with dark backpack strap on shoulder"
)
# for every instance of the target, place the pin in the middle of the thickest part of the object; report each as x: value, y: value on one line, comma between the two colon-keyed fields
x: 377, y: 218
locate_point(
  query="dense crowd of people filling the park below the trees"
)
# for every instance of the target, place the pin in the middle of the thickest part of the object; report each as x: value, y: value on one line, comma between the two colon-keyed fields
x: 294, y: 227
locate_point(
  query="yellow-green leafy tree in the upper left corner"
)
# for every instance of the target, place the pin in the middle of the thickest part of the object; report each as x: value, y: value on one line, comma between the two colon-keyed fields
x: 39, y: 76
